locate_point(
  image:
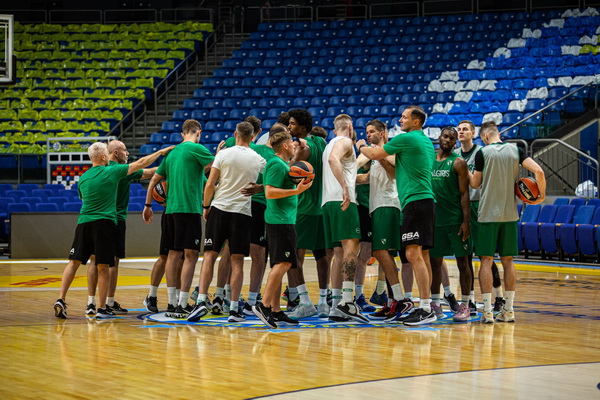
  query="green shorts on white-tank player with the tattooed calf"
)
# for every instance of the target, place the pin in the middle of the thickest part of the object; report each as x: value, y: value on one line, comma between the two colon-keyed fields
x: 340, y: 225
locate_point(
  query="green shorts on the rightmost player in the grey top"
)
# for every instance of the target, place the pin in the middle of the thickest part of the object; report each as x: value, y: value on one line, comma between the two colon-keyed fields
x: 501, y: 236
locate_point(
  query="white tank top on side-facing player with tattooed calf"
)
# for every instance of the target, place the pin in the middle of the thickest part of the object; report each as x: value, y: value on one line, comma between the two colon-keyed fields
x: 332, y: 190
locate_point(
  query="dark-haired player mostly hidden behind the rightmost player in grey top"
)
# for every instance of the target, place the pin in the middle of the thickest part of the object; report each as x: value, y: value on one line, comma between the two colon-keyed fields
x: 468, y: 150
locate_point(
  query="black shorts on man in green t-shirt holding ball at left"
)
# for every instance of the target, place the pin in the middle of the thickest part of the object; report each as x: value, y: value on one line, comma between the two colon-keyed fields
x: 183, y: 231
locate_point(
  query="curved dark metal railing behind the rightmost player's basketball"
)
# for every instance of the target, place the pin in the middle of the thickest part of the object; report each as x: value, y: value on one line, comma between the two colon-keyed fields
x: 564, y: 164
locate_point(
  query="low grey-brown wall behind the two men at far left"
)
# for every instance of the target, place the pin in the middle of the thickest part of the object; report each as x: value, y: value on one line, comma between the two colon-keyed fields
x: 50, y: 235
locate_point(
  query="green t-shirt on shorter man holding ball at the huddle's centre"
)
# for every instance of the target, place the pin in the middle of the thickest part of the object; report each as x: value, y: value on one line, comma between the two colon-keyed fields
x: 280, y: 211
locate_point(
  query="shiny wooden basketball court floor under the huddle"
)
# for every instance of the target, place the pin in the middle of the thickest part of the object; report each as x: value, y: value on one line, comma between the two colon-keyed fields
x: 552, y: 351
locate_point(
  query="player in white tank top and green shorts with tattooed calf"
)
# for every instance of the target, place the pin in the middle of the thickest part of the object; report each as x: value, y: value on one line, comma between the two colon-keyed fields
x: 340, y: 218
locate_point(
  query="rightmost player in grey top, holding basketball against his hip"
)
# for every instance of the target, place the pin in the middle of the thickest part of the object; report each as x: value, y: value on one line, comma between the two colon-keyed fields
x: 496, y: 171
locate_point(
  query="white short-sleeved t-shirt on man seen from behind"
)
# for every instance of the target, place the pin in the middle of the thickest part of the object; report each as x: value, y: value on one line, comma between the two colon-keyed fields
x: 238, y: 166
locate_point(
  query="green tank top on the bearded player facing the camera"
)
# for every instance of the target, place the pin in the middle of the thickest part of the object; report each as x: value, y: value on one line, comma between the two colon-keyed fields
x: 447, y: 194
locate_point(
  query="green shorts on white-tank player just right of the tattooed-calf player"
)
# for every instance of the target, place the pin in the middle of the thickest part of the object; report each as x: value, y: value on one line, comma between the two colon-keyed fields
x: 387, y: 229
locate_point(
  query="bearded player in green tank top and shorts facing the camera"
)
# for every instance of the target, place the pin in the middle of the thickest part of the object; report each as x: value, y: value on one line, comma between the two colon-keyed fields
x: 450, y: 180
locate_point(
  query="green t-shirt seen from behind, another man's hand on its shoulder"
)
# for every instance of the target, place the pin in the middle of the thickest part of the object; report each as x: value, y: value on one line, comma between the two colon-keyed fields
x: 183, y: 168
